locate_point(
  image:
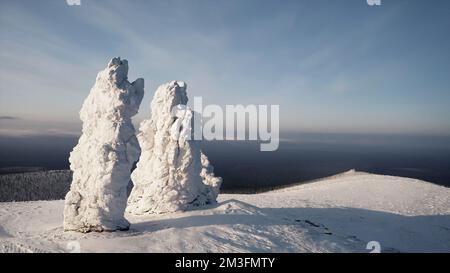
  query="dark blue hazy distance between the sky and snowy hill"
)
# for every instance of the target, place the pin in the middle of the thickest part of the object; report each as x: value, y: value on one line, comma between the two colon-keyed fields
x: 245, y: 168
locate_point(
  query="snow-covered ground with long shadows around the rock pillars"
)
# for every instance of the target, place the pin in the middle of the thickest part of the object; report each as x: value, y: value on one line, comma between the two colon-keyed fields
x: 337, y: 214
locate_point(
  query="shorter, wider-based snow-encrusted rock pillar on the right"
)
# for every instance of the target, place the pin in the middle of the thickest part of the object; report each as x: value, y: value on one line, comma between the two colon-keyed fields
x: 172, y: 173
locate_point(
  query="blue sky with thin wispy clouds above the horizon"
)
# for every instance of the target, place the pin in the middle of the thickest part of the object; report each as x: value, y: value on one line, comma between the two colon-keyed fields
x: 332, y: 66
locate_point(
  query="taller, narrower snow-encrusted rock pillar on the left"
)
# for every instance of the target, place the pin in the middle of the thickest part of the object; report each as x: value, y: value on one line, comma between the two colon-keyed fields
x: 102, y: 160
